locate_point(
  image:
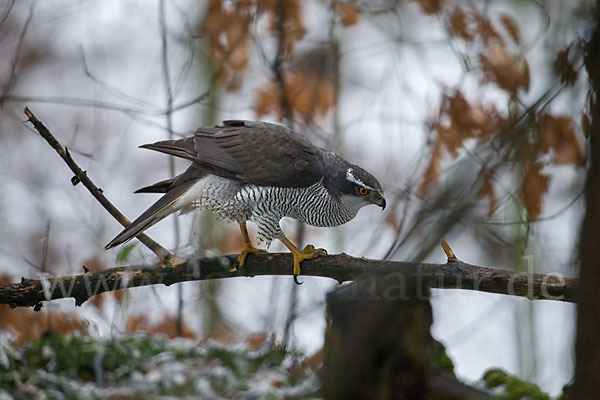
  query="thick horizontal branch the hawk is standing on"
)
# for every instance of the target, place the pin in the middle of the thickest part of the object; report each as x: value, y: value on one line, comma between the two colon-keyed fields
x: 453, y: 275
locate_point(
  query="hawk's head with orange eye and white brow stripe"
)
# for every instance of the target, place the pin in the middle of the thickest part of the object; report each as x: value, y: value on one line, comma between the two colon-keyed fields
x: 359, y: 188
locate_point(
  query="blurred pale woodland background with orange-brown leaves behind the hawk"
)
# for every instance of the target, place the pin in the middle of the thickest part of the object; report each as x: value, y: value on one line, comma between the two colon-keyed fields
x: 472, y: 114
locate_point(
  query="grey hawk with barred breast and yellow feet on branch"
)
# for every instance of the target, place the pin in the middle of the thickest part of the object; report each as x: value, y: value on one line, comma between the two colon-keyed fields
x: 261, y: 172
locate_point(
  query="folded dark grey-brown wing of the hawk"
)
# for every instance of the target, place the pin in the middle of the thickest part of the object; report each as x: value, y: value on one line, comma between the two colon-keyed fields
x: 258, y: 153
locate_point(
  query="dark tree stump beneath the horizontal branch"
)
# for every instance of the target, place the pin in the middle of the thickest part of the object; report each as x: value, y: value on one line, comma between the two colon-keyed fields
x: 378, y: 343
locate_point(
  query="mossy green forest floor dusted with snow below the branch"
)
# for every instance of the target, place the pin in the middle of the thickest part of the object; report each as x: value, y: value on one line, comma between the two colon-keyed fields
x: 142, y: 366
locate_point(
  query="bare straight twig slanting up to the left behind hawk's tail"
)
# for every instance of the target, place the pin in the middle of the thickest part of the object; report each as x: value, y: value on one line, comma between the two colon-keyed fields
x: 81, y: 176
